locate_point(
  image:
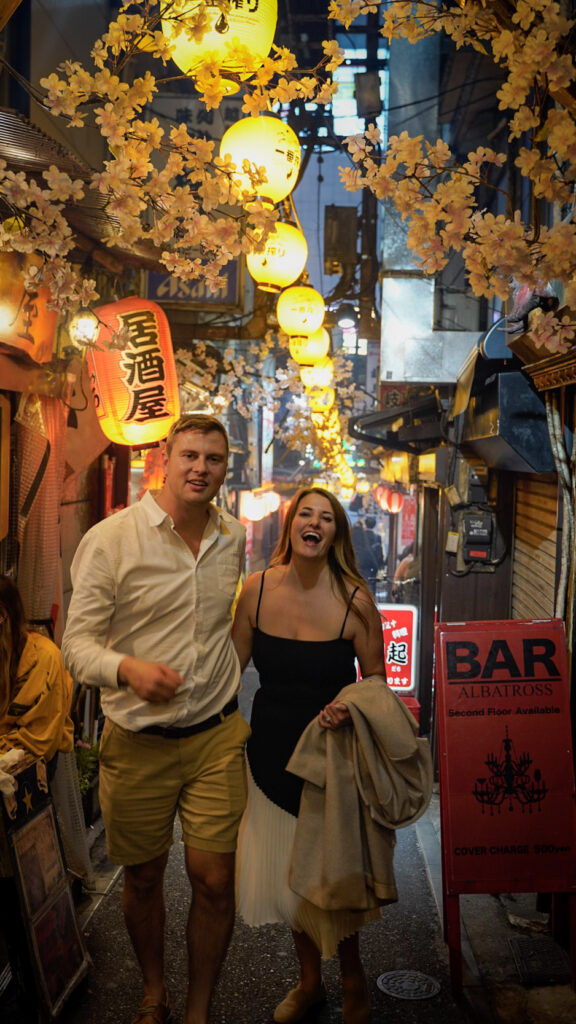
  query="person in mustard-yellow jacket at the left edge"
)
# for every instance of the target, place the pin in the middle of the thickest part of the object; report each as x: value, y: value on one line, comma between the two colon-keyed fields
x: 35, y: 689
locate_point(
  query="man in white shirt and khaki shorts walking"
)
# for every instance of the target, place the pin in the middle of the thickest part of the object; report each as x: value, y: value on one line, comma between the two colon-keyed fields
x: 149, y: 623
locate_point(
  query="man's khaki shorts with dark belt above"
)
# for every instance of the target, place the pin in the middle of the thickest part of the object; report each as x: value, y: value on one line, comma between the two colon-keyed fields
x: 144, y: 781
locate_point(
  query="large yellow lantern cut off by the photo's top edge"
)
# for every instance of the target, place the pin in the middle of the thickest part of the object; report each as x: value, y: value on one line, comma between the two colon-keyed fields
x: 238, y: 40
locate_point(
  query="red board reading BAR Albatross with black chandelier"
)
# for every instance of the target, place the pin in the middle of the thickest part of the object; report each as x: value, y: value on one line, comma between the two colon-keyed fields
x: 508, y: 801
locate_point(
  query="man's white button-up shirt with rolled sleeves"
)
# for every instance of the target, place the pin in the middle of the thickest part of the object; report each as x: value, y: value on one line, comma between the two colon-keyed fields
x: 139, y: 590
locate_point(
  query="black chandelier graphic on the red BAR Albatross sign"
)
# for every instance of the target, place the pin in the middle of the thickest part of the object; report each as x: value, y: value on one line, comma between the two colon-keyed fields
x: 510, y: 780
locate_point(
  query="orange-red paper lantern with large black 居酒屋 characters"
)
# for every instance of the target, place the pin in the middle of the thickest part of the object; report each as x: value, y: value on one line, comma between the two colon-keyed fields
x: 136, y: 390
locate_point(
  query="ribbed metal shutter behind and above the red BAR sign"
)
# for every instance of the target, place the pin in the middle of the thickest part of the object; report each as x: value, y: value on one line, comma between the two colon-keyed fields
x: 534, y: 559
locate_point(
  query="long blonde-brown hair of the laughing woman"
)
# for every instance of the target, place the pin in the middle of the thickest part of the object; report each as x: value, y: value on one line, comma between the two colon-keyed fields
x: 342, y: 558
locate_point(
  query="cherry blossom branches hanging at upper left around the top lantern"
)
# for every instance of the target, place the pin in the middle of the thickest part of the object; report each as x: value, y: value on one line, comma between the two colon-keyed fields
x: 168, y: 196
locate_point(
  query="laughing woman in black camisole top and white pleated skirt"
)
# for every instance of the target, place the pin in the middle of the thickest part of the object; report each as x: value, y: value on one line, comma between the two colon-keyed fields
x: 305, y: 621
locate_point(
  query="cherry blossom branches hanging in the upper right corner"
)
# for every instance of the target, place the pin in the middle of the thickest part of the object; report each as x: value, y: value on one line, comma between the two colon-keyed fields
x: 437, y: 196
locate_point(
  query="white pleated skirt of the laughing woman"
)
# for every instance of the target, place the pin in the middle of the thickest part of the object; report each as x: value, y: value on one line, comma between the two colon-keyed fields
x: 263, y: 893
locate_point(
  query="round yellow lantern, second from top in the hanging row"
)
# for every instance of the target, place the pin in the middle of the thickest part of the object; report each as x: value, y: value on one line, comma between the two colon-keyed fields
x: 264, y: 143
